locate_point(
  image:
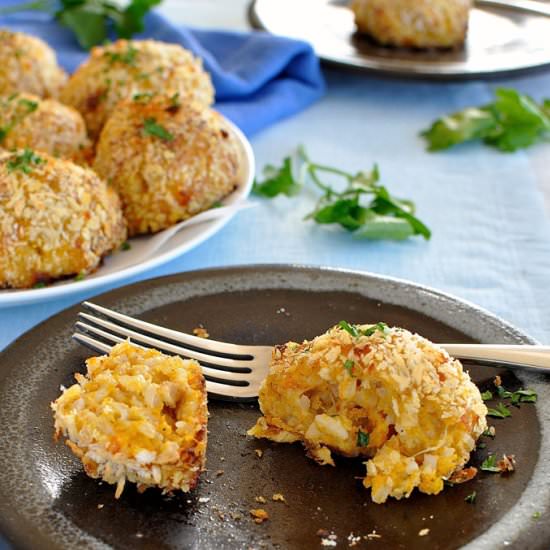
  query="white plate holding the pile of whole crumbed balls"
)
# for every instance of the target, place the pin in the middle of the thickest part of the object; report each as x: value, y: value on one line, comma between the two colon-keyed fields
x: 120, y: 266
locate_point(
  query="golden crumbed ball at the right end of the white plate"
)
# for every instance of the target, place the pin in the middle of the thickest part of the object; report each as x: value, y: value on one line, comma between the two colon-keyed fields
x: 167, y: 160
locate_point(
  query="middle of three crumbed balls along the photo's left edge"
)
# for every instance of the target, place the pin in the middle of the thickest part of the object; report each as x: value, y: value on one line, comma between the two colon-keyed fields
x: 45, y: 125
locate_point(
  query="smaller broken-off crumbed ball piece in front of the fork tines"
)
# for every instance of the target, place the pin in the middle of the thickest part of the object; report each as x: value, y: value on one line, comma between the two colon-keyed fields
x: 137, y: 415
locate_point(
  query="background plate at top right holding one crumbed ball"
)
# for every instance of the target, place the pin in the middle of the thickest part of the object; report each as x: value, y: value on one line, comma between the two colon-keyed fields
x: 500, y: 41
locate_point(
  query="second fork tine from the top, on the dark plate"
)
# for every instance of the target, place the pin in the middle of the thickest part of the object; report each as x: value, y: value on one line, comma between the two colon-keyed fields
x: 161, y: 345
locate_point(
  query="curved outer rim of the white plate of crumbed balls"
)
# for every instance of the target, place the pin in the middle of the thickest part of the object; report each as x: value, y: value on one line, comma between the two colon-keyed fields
x: 14, y: 297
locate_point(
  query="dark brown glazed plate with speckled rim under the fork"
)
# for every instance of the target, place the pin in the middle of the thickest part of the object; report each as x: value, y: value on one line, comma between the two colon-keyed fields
x: 46, y: 501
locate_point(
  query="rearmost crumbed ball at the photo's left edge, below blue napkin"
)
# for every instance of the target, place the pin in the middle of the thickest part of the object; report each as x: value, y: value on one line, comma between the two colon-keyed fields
x: 27, y: 64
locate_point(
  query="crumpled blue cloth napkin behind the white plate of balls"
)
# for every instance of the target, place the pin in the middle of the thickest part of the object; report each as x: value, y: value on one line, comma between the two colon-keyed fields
x: 259, y: 78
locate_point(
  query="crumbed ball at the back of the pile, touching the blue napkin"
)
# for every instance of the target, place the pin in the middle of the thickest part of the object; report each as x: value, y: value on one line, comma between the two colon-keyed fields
x: 122, y: 69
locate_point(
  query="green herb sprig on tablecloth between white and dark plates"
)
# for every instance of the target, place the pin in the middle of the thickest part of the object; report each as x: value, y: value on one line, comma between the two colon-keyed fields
x: 362, y: 206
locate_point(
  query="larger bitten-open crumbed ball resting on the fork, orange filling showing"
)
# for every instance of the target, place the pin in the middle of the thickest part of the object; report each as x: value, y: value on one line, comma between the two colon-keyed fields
x: 384, y: 394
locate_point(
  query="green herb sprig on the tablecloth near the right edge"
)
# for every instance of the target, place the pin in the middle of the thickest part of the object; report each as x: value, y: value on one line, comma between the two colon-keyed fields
x: 512, y: 121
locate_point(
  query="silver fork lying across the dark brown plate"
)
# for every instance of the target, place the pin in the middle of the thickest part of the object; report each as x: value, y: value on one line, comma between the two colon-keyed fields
x: 237, y: 371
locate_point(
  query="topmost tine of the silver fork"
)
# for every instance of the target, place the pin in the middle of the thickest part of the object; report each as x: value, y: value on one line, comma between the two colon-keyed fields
x: 186, y: 339
